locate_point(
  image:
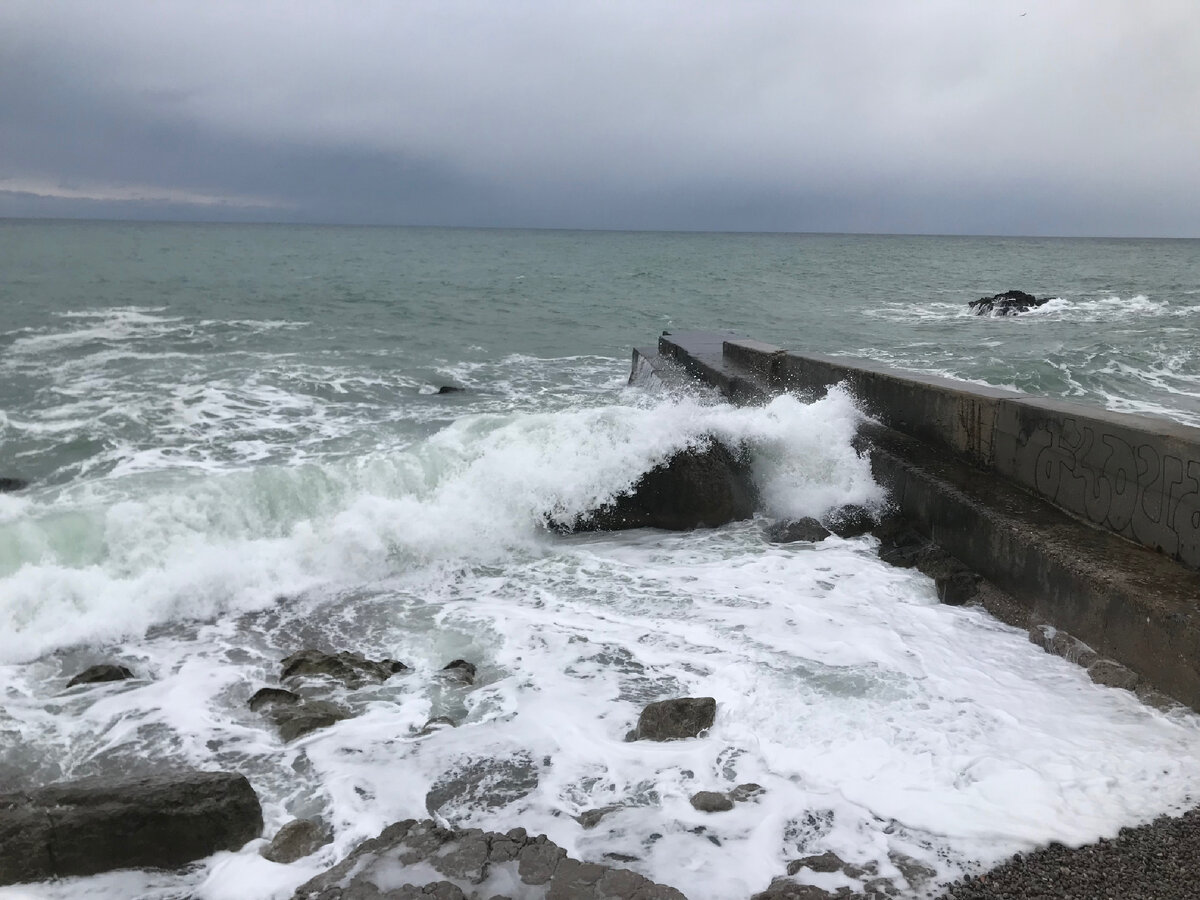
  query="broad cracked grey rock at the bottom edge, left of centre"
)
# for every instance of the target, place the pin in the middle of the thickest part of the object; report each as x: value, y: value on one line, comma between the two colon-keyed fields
x: 419, y: 860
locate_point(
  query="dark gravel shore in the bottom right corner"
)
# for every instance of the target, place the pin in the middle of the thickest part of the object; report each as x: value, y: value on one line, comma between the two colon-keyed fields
x: 1160, y: 861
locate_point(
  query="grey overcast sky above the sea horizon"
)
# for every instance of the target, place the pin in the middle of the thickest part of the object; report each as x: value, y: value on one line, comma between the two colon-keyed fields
x: 986, y: 117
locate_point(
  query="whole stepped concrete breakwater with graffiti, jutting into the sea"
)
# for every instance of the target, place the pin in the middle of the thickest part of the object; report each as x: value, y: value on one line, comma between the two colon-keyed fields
x: 1088, y: 521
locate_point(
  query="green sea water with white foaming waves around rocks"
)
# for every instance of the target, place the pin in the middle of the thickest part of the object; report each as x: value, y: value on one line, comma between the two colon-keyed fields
x: 237, y: 449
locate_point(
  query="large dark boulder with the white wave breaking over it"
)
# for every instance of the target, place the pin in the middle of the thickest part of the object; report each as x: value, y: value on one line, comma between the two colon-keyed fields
x: 700, y: 488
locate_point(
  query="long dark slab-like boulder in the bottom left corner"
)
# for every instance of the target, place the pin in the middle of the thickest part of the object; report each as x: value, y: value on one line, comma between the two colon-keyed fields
x: 97, y: 825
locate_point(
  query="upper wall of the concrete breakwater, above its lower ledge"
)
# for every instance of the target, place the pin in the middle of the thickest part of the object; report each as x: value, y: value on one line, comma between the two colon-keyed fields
x: 1133, y: 475
